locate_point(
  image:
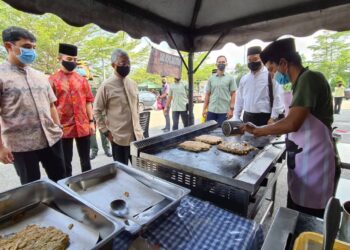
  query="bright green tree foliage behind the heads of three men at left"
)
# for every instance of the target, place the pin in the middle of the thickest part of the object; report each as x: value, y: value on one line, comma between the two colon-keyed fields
x: 95, y: 45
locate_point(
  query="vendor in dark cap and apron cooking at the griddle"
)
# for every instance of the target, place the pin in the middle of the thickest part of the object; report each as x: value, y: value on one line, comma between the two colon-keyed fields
x: 311, y: 164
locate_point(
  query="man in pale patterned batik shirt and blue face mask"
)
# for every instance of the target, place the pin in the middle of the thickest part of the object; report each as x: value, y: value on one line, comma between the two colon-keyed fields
x: 30, y: 126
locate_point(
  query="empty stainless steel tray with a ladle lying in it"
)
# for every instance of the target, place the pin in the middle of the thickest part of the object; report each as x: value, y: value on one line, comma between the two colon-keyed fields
x: 103, y: 185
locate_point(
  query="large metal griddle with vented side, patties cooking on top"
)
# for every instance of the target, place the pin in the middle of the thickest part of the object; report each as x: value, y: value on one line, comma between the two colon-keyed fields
x: 230, y: 181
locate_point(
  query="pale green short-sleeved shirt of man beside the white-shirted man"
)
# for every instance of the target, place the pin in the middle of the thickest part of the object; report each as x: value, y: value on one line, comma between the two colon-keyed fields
x: 220, y: 88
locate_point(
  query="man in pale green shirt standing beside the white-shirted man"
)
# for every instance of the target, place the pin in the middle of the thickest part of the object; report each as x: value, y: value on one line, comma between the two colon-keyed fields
x: 220, y: 94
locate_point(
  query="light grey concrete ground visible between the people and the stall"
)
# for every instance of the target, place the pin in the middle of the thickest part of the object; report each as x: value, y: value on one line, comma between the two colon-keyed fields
x: 9, y: 178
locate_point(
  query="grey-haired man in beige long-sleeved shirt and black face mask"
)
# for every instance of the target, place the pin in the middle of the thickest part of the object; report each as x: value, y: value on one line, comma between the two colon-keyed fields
x: 116, y: 108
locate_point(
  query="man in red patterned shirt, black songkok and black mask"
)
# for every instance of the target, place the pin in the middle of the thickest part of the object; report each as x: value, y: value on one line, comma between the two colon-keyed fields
x: 74, y: 105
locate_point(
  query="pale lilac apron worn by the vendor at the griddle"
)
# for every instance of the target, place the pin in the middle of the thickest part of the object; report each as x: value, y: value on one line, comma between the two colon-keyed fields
x: 311, y: 165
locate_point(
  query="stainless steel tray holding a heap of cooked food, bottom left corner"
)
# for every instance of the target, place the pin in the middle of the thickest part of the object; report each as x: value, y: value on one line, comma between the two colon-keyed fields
x: 45, y: 203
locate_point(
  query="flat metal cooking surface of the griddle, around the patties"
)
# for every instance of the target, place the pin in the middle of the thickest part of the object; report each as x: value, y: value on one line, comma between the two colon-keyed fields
x: 214, y: 160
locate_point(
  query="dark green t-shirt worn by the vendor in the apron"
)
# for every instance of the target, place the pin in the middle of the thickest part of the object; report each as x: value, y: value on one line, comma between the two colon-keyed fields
x: 313, y: 91
